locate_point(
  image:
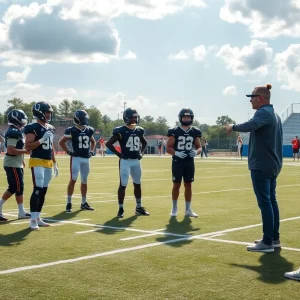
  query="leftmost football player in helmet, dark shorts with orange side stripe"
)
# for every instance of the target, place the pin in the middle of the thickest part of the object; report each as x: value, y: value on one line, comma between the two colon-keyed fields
x: 14, y: 161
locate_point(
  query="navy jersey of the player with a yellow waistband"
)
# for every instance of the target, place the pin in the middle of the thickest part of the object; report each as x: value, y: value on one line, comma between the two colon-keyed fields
x: 43, y: 151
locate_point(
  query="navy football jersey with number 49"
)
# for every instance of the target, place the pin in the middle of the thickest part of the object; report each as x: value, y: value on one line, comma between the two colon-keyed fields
x: 129, y: 140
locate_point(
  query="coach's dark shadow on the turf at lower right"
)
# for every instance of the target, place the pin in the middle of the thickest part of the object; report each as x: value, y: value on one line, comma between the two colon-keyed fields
x: 272, y: 267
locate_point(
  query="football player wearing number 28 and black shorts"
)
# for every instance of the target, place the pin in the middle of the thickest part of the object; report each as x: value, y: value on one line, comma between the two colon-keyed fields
x: 184, y: 144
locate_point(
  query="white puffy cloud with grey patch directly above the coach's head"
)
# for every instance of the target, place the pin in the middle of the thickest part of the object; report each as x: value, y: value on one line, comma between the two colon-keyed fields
x: 252, y: 59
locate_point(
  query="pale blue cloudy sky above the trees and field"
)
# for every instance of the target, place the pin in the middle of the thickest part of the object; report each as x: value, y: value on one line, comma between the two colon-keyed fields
x: 157, y: 56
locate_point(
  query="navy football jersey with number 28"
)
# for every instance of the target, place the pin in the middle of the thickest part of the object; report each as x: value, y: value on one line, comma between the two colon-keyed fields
x: 184, y: 139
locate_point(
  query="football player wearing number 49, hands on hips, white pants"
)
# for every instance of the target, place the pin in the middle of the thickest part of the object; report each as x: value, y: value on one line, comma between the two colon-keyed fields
x: 129, y: 136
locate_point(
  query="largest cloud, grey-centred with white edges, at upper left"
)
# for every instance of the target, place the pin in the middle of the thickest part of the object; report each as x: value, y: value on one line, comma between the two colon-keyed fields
x: 74, y: 41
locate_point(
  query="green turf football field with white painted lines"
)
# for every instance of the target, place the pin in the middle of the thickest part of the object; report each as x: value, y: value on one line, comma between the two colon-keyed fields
x: 94, y: 255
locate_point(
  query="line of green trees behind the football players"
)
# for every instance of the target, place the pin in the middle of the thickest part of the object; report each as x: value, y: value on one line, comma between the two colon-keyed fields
x: 66, y: 109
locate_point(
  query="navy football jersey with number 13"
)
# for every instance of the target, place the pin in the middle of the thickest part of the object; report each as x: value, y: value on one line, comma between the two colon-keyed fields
x: 80, y: 139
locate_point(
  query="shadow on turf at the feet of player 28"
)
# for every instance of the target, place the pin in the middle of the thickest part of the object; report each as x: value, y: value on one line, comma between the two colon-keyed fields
x: 183, y: 227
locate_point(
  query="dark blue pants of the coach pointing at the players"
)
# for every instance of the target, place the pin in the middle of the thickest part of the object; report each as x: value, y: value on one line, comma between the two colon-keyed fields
x: 264, y: 186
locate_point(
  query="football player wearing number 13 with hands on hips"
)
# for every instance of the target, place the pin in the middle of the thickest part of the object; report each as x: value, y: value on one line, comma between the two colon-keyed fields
x: 83, y: 145
